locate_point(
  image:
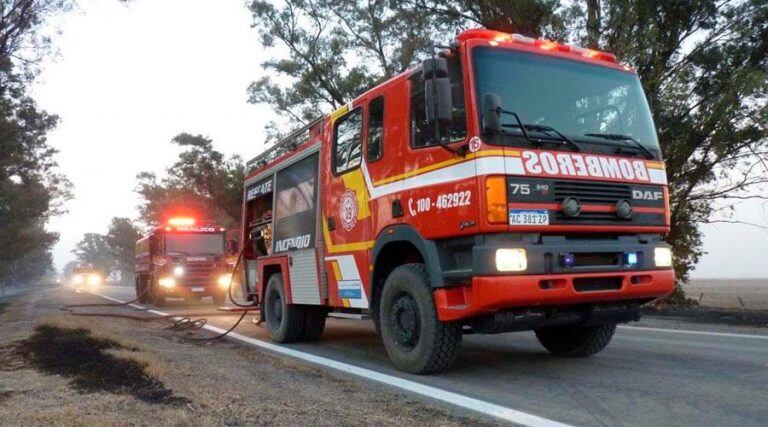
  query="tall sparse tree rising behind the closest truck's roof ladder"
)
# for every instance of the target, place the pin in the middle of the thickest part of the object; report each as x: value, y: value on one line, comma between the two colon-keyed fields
x: 337, y: 49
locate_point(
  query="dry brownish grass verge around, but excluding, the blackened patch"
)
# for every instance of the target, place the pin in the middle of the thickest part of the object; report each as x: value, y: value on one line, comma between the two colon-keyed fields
x: 226, y: 384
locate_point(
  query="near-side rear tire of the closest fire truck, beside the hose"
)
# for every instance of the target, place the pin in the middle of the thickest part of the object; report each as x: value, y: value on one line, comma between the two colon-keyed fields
x: 284, y: 321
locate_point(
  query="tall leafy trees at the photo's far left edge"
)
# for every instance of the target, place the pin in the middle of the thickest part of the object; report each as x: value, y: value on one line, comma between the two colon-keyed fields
x: 31, y: 188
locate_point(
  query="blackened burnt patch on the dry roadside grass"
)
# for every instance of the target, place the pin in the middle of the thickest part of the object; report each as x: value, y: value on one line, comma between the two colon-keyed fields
x: 76, y: 354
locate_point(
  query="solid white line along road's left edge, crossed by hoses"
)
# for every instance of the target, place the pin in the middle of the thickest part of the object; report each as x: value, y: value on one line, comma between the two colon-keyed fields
x: 466, y: 402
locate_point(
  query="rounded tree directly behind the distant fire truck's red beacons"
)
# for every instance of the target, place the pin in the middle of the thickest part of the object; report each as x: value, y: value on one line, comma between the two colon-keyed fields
x: 202, y: 183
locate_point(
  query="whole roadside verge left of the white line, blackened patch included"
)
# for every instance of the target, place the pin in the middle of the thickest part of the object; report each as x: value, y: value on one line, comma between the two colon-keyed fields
x: 121, y: 372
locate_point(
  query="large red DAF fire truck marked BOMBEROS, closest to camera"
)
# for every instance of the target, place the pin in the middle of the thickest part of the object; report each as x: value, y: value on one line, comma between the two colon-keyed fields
x: 505, y: 184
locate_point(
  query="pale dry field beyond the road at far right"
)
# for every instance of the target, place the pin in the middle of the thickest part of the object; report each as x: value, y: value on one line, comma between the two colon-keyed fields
x: 750, y: 294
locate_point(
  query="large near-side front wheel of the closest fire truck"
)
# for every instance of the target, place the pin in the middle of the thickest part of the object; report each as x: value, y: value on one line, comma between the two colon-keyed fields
x: 414, y: 338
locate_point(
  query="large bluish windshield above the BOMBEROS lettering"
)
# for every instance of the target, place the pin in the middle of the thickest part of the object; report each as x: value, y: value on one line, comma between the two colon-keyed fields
x: 573, y: 97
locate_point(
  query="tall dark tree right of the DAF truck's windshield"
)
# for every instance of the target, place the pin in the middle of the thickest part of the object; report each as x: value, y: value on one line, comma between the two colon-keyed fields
x: 704, y: 65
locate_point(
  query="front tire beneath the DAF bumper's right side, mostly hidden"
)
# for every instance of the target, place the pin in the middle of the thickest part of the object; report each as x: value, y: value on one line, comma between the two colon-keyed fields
x: 576, y: 341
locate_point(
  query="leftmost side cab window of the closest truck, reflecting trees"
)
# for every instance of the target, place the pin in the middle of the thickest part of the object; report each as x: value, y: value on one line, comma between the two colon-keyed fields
x: 348, y: 142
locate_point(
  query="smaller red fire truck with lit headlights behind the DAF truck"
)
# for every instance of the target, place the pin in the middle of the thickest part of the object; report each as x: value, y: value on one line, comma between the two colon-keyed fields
x: 183, y: 259
